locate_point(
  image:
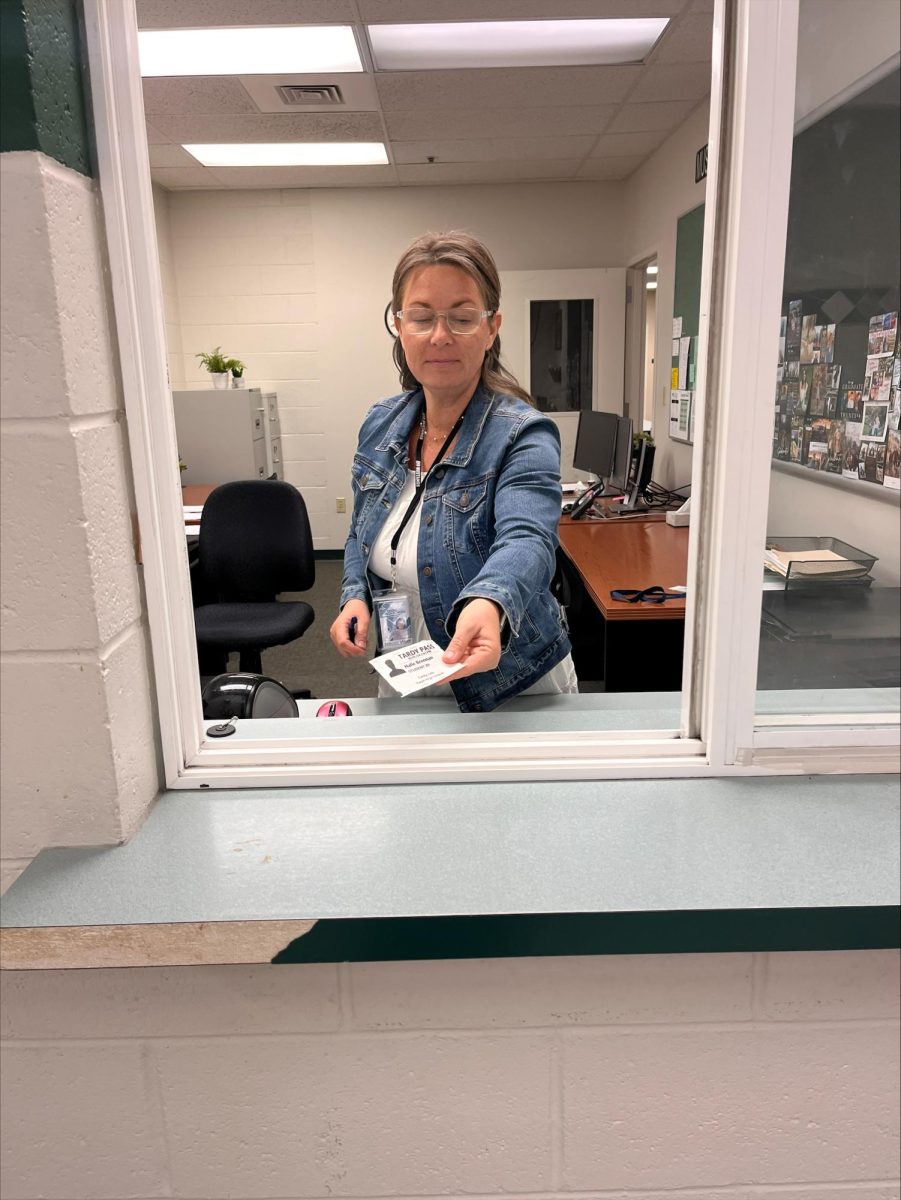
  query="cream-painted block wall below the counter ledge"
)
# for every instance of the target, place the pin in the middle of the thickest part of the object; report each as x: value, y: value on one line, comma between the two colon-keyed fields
x: 693, y: 1076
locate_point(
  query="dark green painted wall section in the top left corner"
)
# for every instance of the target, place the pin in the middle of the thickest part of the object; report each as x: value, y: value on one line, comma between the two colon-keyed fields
x: 43, y: 85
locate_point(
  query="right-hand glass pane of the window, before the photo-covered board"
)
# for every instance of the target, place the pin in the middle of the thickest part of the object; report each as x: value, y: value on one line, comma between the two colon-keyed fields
x: 831, y: 638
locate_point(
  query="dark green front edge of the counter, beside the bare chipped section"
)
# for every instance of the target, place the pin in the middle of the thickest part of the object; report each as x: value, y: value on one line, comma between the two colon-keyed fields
x: 400, y: 939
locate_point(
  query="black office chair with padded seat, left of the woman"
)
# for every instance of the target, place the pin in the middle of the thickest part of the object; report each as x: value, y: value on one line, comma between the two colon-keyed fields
x: 255, y: 543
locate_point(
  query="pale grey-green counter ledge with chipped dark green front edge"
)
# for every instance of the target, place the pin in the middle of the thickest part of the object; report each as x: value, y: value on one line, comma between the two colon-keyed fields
x: 484, y: 871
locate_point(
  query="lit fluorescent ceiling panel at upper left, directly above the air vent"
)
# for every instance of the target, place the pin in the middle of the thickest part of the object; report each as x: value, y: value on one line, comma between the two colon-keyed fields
x: 260, y: 50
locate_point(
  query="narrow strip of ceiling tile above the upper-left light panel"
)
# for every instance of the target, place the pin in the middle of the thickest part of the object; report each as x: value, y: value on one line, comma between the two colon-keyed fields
x: 197, y: 14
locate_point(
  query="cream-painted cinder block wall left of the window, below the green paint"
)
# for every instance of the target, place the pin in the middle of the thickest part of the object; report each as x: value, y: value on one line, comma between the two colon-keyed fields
x: 80, y: 758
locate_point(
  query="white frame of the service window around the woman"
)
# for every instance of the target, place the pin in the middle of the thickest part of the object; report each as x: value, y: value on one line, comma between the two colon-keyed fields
x: 753, y: 100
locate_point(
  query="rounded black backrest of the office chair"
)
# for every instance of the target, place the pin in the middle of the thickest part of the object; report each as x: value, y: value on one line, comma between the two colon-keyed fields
x: 256, y: 541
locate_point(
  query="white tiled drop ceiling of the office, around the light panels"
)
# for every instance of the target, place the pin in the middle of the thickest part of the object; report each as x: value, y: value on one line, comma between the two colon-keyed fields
x: 461, y: 127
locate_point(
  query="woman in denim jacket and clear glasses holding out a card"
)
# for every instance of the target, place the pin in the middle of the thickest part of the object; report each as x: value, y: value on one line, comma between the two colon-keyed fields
x: 458, y: 491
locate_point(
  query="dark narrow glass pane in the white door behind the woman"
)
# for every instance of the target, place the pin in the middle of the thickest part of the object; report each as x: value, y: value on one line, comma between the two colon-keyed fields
x: 561, y: 339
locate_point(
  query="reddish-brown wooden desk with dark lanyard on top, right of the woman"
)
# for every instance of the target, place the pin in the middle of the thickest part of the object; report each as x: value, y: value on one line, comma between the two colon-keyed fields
x: 633, y: 647
